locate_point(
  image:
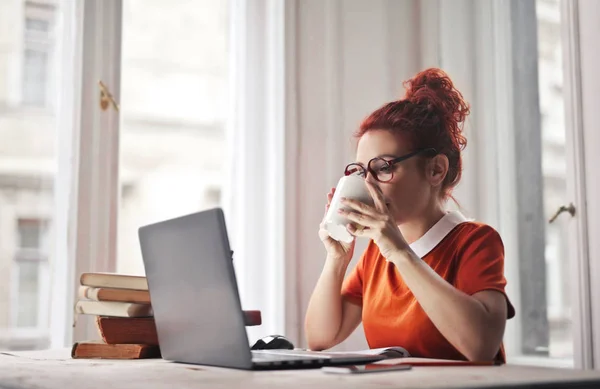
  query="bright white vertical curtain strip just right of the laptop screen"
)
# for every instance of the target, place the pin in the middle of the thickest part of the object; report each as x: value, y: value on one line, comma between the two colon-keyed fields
x: 254, y: 199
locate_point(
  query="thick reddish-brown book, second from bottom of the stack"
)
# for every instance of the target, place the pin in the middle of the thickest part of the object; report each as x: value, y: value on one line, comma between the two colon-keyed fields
x: 127, y: 330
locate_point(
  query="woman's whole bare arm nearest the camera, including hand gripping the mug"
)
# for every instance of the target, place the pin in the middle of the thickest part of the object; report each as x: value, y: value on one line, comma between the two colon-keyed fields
x: 474, y: 324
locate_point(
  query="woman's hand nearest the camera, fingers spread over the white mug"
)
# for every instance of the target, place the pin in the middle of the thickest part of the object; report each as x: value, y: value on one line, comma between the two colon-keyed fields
x: 377, y: 221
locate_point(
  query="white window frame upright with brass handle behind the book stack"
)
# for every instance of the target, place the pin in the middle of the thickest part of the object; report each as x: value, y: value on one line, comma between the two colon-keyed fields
x: 87, y: 184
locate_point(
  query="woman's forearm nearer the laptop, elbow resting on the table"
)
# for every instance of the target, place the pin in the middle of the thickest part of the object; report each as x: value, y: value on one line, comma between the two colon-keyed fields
x: 329, y: 318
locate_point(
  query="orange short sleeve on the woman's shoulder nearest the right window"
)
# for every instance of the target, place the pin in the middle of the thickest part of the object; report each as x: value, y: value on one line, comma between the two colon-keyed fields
x: 481, y: 263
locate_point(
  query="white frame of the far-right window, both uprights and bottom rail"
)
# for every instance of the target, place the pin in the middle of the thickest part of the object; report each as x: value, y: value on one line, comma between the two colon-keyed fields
x: 502, y: 102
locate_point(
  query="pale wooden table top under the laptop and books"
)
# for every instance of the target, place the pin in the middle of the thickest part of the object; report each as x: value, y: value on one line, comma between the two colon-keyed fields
x: 54, y: 369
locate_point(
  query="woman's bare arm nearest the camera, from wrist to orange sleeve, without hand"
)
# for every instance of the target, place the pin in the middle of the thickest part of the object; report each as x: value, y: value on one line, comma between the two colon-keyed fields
x: 473, y: 324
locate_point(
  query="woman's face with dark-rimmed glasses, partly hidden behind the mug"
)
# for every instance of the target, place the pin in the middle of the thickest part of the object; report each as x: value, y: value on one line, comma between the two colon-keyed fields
x: 409, y: 192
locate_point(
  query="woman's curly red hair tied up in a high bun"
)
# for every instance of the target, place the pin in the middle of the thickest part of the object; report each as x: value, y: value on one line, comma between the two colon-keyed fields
x: 431, y: 115
